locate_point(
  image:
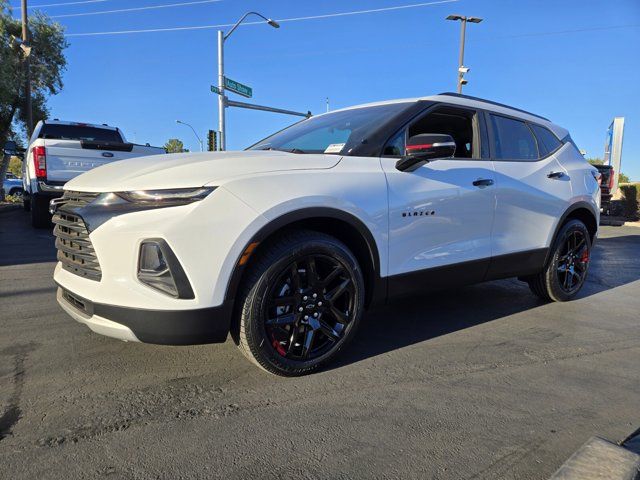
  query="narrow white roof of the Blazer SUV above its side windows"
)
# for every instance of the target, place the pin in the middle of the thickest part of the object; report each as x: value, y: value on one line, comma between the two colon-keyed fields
x: 475, y: 102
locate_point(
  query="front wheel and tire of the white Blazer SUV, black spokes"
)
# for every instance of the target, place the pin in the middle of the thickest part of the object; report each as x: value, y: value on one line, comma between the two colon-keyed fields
x: 301, y: 303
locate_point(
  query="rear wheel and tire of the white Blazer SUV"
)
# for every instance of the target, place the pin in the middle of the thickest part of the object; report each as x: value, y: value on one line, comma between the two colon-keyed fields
x: 568, y: 264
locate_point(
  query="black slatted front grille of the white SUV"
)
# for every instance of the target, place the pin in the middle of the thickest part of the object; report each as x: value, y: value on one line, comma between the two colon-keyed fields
x: 75, y: 250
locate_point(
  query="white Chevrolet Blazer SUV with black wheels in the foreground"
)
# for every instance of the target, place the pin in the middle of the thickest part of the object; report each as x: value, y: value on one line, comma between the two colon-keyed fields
x: 285, y: 244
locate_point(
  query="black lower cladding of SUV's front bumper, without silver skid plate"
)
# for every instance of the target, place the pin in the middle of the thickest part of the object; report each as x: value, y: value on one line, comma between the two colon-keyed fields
x: 163, y: 327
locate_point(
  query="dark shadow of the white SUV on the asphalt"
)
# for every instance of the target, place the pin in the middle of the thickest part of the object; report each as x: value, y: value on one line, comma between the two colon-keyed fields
x: 407, y: 321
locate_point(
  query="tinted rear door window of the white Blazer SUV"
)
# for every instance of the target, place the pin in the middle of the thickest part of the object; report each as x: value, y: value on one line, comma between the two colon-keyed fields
x: 512, y: 139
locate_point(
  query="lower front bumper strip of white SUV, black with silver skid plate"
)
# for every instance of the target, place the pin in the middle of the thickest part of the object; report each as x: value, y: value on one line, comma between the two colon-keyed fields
x: 163, y: 327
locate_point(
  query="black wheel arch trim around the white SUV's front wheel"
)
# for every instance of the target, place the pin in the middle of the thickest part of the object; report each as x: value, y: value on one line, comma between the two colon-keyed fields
x: 340, y: 224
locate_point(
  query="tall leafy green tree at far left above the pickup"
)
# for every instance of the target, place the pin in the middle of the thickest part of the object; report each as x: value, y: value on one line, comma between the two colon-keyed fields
x: 47, y: 62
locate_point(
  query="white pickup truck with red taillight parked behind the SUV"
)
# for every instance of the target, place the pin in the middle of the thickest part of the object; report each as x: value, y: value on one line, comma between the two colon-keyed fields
x: 59, y: 151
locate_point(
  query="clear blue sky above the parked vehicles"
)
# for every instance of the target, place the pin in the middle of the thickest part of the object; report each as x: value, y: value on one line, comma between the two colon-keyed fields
x: 574, y: 61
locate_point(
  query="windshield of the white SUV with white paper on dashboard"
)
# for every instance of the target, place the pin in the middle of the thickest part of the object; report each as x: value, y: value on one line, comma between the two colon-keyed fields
x: 336, y: 132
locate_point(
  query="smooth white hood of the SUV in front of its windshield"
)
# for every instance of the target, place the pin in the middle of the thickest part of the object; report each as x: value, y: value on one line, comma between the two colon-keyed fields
x: 183, y: 170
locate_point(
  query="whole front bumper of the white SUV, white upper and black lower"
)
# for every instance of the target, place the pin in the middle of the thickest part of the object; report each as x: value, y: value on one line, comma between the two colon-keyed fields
x: 207, y: 238
